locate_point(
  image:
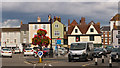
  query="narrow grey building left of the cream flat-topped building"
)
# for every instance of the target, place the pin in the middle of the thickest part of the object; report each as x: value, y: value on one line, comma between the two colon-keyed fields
x: 24, y: 35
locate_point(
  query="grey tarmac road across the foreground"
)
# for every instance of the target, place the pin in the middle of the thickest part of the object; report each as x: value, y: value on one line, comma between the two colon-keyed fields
x: 20, y: 60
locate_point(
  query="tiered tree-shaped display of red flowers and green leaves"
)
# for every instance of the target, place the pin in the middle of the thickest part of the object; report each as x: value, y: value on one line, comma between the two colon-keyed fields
x: 41, y: 39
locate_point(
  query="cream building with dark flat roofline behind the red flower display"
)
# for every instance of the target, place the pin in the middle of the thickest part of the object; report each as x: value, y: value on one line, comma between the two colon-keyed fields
x: 34, y: 26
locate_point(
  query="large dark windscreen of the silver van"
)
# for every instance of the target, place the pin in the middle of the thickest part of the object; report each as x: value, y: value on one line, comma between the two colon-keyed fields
x: 78, y: 46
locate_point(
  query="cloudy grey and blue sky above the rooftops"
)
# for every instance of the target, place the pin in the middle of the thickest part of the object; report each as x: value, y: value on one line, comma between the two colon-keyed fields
x: 15, y: 11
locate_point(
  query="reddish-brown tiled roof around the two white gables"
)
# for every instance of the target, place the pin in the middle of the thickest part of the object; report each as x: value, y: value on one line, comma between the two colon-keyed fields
x: 83, y: 27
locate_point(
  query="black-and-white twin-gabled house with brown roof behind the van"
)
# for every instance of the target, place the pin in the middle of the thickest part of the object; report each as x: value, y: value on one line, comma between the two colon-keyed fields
x: 83, y: 32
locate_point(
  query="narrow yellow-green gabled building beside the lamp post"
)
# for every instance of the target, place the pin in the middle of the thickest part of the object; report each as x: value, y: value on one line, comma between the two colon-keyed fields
x: 58, y: 30
